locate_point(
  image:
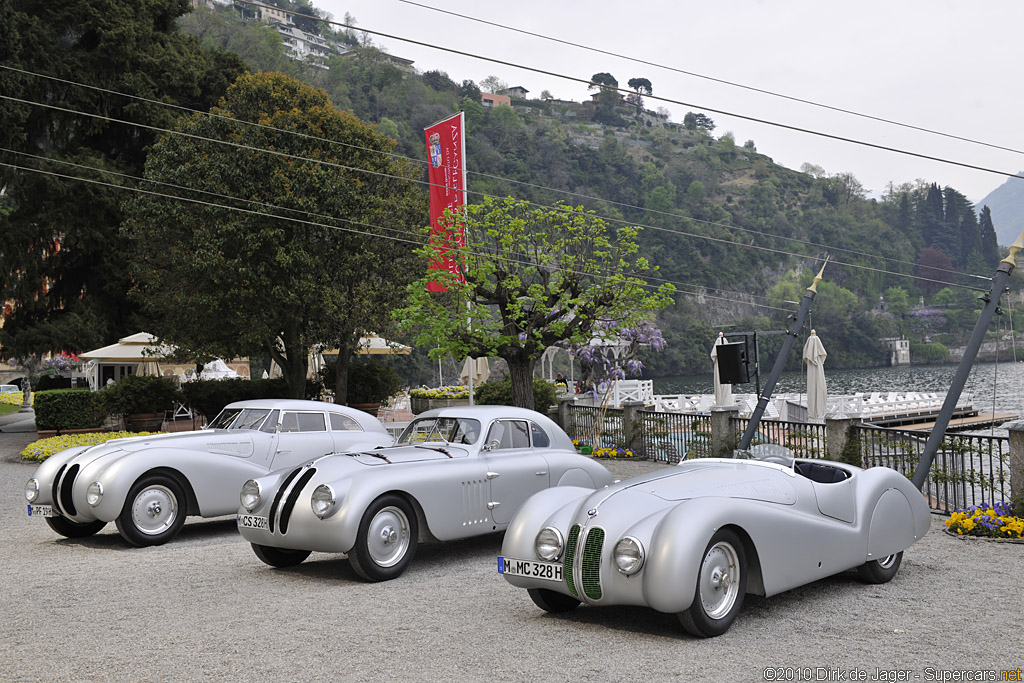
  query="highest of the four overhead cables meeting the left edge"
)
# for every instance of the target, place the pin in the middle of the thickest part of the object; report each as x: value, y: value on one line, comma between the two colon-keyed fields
x: 581, y: 196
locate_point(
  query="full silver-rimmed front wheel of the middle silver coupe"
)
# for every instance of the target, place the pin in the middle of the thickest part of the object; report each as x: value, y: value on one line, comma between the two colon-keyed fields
x: 387, y: 541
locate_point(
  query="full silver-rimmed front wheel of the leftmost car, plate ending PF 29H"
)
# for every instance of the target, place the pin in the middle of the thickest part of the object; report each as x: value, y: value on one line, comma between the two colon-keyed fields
x: 154, y: 511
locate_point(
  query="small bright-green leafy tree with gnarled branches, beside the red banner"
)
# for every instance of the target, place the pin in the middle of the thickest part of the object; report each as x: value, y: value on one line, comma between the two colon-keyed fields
x: 534, y: 278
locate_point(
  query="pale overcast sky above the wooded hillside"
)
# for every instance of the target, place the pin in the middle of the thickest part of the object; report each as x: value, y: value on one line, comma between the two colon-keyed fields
x: 940, y: 65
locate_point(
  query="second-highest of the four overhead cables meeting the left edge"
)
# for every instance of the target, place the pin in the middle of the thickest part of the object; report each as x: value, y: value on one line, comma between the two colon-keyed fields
x: 388, y: 176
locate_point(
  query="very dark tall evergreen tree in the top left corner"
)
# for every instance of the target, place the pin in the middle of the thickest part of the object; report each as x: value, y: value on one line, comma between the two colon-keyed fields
x: 62, y: 259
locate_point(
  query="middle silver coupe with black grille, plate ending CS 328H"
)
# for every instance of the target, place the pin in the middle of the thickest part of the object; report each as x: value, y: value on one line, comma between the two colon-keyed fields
x: 455, y: 473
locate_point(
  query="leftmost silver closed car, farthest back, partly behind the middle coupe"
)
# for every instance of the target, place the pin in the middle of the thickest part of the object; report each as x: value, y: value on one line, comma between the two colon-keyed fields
x: 149, y: 485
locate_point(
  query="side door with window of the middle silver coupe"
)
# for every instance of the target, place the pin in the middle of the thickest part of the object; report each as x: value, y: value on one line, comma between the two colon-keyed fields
x: 516, y: 469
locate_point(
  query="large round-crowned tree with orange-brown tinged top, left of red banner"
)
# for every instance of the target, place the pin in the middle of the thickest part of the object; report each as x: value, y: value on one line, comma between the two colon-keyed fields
x: 222, y: 282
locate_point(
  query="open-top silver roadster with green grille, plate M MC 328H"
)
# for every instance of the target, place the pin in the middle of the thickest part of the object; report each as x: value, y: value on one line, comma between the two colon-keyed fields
x: 693, y: 540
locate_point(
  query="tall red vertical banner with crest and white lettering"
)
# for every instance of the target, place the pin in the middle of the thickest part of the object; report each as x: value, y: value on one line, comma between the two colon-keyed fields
x: 447, y: 175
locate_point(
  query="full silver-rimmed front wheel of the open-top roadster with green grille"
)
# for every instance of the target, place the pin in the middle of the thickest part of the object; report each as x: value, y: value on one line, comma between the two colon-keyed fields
x: 719, y: 593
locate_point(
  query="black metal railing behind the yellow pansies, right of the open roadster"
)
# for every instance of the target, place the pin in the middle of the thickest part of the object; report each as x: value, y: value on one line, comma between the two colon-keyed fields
x: 968, y: 471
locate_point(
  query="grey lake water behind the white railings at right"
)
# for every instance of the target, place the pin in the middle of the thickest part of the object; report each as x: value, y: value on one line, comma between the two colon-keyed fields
x: 1002, y: 385
